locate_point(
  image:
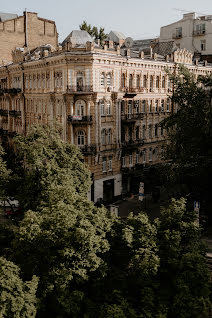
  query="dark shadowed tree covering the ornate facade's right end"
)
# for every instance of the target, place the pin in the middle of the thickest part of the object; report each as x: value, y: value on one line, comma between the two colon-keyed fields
x: 189, y: 147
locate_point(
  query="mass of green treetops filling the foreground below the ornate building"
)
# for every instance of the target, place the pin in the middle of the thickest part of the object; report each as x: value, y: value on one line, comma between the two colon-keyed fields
x: 90, y: 263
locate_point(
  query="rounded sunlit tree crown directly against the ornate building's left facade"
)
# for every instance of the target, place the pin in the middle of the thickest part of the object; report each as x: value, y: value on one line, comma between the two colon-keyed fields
x: 48, y: 170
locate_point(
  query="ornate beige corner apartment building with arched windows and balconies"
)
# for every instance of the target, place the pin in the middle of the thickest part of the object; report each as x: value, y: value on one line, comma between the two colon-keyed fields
x: 109, y: 101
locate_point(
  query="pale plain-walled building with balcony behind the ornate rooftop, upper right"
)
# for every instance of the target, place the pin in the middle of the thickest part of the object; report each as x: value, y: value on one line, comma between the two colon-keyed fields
x: 192, y: 33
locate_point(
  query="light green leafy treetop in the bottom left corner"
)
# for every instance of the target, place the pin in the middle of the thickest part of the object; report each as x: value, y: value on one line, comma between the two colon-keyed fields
x: 17, y: 298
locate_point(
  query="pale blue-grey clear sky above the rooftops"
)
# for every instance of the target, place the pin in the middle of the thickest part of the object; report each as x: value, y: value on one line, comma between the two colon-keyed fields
x: 138, y: 19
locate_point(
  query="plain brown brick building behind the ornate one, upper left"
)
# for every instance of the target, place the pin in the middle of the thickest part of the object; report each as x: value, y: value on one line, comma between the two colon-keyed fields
x: 27, y: 31
